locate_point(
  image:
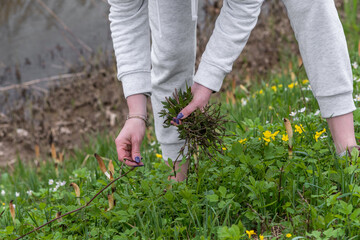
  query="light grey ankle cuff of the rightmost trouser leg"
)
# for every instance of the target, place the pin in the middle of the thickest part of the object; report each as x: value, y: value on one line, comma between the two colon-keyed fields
x: 332, y: 106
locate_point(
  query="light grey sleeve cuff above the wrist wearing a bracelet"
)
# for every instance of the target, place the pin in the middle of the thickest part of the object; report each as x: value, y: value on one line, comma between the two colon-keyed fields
x: 136, y: 83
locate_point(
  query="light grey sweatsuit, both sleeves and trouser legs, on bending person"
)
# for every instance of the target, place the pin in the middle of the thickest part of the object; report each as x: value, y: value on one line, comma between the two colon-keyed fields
x: 315, y: 22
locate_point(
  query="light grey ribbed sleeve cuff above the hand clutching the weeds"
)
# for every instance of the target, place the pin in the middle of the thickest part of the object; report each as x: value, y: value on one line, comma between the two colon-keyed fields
x: 210, y: 76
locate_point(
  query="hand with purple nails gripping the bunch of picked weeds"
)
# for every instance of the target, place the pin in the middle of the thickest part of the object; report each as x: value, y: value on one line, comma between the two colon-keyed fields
x: 201, y: 96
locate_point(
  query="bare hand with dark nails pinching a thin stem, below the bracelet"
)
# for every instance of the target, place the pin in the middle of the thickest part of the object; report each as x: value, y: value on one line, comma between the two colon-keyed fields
x: 129, y: 140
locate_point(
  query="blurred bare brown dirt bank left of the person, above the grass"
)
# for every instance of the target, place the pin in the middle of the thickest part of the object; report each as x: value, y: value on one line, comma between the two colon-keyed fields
x: 70, y: 112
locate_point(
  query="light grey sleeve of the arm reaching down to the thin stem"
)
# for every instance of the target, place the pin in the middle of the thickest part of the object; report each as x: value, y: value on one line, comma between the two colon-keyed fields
x: 130, y: 32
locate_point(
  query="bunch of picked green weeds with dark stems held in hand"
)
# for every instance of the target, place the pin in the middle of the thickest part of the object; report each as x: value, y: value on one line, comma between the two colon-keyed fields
x: 203, y: 130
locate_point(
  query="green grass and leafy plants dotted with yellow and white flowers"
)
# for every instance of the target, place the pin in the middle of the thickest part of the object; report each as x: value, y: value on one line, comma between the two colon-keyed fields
x: 254, y: 186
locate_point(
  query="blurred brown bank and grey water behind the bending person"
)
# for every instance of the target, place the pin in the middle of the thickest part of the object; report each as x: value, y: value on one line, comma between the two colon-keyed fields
x: 58, y: 75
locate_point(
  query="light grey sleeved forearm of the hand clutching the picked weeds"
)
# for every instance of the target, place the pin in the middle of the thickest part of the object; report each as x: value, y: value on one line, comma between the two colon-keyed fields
x: 232, y: 30
